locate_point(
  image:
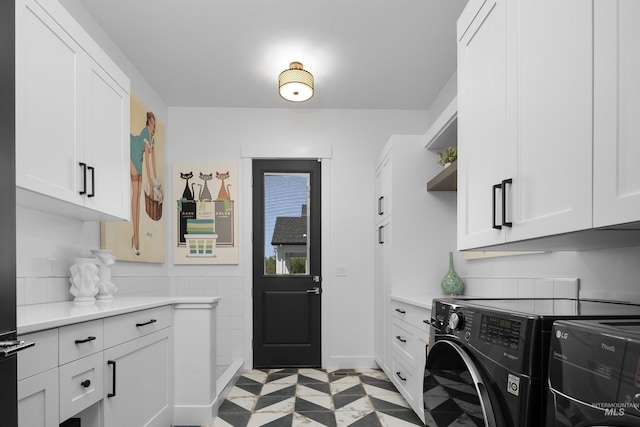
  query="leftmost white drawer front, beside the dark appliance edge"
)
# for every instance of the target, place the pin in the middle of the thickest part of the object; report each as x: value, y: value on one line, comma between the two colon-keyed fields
x: 42, y: 356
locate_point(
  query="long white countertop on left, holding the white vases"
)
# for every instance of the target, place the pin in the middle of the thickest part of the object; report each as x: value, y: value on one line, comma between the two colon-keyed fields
x: 37, y: 317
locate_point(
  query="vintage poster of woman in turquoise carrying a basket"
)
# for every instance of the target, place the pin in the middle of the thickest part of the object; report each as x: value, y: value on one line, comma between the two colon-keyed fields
x: 142, y: 238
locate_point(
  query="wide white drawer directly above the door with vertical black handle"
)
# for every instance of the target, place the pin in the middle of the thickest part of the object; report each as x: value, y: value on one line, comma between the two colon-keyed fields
x: 126, y: 327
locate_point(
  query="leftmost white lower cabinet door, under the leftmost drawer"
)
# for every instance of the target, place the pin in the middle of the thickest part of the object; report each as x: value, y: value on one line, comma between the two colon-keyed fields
x: 38, y: 400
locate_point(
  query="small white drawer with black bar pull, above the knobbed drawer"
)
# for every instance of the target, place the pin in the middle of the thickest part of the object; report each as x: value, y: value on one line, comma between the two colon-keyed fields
x: 80, y: 340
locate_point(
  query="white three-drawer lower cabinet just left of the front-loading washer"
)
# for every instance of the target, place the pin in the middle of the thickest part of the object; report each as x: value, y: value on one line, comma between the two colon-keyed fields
x: 407, y: 345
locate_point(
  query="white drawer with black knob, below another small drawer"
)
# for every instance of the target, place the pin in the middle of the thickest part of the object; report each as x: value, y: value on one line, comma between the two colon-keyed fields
x: 81, y: 384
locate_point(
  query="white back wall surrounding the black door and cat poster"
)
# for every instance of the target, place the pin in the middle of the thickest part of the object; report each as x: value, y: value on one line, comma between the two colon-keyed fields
x: 354, y: 139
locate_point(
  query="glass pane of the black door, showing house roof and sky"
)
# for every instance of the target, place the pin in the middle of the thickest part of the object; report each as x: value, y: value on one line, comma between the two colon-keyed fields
x: 286, y: 229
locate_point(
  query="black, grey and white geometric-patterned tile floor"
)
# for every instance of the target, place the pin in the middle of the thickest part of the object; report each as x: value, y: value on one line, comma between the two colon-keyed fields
x: 314, y: 397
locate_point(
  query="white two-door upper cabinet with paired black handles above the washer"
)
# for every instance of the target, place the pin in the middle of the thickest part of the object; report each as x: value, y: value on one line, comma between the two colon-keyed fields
x: 524, y: 120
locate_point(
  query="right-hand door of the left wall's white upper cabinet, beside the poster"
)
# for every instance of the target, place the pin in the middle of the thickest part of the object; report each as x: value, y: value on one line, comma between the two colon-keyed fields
x: 107, y: 142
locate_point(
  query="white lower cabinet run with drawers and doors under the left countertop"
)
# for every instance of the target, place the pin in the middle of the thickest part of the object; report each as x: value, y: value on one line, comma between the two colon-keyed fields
x: 116, y: 371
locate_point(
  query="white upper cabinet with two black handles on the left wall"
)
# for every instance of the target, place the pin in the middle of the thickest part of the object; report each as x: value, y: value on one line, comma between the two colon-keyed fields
x: 72, y: 118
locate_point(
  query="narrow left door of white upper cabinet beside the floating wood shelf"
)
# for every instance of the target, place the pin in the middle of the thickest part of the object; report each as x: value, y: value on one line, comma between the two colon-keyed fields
x: 481, y: 120
